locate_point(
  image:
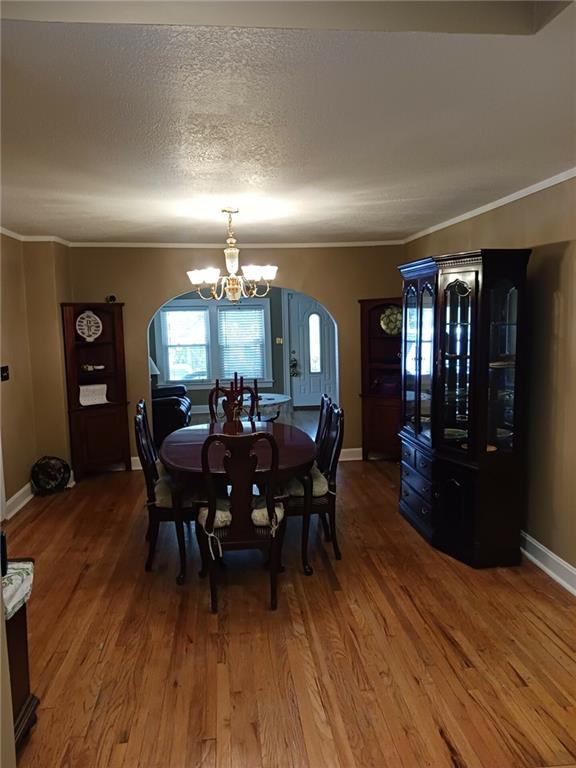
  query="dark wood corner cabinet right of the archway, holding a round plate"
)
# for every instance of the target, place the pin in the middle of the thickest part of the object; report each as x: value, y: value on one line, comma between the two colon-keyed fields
x: 381, y: 327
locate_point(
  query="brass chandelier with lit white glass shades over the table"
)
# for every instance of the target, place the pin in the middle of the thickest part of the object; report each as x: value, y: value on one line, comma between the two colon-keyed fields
x: 254, y: 282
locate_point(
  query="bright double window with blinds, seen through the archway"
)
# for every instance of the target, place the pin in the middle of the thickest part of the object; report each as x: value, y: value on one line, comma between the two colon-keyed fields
x: 199, y: 342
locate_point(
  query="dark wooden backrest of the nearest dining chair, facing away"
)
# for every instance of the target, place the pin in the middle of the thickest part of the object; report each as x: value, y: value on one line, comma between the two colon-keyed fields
x: 240, y: 462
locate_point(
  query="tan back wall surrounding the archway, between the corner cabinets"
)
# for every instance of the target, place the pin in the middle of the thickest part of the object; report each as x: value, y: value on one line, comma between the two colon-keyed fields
x: 146, y: 278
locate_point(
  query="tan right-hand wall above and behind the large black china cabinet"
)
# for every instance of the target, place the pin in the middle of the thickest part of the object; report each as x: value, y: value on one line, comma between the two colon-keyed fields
x: 546, y: 222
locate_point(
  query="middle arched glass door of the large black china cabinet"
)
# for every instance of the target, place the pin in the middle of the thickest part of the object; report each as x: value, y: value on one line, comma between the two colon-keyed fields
x: 456, y: 361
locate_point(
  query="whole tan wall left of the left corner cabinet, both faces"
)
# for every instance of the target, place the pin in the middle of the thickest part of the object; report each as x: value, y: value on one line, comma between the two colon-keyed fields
x: 35, y: 279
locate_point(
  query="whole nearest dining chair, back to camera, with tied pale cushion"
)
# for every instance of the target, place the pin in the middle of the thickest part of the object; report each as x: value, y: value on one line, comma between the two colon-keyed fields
x: 241, y: 521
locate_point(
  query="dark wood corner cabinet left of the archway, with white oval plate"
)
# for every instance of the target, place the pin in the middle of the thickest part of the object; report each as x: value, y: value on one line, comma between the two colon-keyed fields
x: 96, y: 387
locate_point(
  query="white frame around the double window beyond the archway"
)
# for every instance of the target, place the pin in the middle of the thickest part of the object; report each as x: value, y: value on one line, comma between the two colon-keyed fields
x: 212, y: 308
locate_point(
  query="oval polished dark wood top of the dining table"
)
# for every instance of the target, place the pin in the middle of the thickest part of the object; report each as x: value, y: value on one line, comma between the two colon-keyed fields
x: 181, y: 451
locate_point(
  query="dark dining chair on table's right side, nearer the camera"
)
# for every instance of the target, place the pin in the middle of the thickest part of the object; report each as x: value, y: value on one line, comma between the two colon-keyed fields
x: 323, y: 476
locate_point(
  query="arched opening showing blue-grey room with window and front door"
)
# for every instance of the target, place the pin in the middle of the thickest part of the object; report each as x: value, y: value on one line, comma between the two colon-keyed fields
x: 193, y: 342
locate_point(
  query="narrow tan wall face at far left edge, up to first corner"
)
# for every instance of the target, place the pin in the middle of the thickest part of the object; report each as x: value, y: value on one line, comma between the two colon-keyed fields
x: 18, y: 426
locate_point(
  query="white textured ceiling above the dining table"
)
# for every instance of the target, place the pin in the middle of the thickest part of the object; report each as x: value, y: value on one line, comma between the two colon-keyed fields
x: 141, y: 133
